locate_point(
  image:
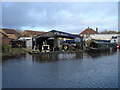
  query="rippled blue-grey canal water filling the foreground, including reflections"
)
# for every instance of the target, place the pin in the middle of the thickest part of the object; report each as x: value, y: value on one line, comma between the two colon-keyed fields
x: 62, y: 70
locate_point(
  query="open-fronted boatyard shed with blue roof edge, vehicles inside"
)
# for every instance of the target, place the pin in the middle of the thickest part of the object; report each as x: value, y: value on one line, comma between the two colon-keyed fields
x: 57, y: 41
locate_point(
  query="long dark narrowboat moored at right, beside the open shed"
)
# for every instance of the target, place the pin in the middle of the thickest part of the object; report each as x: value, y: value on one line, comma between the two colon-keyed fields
x: 98, y: 46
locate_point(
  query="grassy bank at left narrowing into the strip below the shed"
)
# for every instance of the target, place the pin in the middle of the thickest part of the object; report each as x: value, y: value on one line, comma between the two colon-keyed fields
x: 14, y: 52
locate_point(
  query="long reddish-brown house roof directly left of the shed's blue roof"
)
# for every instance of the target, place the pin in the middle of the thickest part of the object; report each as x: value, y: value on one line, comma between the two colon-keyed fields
x: 30, y: 33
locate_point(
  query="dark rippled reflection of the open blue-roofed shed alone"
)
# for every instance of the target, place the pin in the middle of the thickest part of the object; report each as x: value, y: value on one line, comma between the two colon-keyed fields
x: 42, y: 58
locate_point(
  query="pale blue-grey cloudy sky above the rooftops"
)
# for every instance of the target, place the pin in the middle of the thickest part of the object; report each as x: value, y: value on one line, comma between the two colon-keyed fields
x: 72, y: 17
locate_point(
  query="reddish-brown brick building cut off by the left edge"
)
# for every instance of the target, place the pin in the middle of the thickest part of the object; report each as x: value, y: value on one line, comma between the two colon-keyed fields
x: 5, y: 40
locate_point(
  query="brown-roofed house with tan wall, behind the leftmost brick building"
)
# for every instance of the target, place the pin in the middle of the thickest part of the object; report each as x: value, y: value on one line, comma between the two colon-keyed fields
x: 11, y: 33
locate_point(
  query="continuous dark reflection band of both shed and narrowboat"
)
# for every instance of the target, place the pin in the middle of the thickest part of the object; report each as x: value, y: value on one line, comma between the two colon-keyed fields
x: 43, y: 58
